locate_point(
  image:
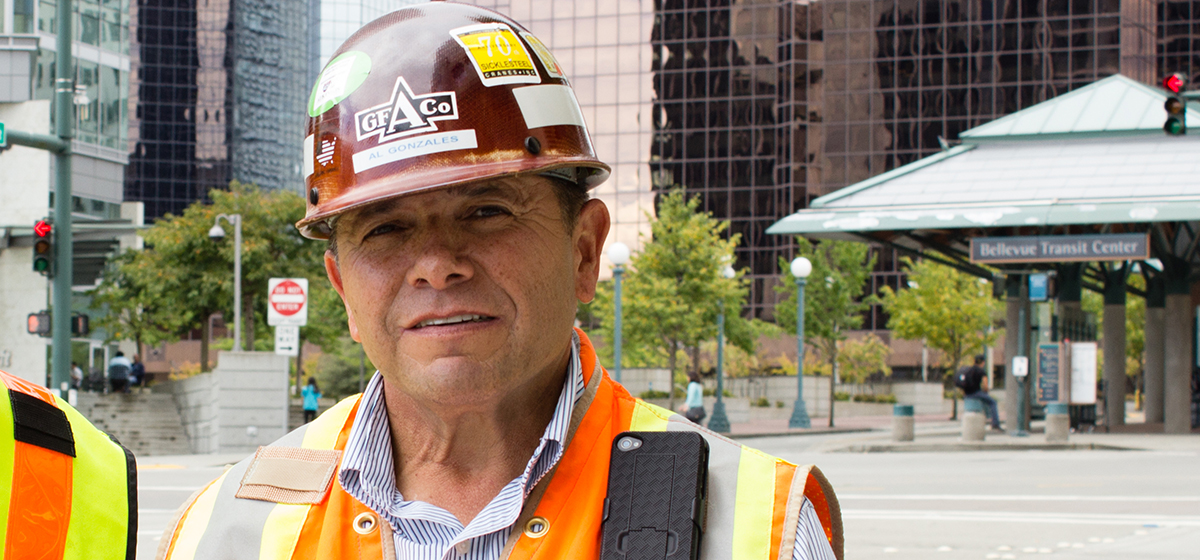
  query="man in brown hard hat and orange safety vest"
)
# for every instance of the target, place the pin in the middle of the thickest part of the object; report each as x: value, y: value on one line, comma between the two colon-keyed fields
x: 451, y: 179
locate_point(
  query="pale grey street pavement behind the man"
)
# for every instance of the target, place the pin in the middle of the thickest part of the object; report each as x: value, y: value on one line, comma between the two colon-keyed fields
x: 1139, y: 503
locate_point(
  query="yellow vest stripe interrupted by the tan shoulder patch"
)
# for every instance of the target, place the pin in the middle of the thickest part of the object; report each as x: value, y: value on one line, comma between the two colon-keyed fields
x: 281, y: 533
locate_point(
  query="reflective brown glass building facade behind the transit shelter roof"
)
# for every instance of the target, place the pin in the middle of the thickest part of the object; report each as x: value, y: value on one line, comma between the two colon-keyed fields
x: 761, y: 106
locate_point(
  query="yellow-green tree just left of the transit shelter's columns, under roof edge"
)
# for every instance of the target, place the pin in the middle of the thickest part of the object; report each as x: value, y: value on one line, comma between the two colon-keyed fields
x: 951, y: 311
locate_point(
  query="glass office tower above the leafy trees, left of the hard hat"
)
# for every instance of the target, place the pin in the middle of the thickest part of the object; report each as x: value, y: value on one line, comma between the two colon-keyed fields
x: 220, y: 92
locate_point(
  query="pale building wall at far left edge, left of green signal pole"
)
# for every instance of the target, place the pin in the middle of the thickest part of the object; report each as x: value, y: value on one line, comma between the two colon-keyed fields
x: 25, y: 198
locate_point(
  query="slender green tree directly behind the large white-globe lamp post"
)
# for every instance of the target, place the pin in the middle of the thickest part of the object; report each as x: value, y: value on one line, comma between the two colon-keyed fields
x: 833, y: 297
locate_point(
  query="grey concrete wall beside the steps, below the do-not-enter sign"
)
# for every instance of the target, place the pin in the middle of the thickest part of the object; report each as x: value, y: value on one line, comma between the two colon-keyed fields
x: 253, y: 400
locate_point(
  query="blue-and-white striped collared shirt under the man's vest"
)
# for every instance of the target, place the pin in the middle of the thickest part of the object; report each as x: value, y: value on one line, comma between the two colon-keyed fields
x: 424, y: 532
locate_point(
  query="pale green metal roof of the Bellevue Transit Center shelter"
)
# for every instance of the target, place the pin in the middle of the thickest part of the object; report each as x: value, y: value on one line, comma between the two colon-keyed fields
x: 1094, y: 156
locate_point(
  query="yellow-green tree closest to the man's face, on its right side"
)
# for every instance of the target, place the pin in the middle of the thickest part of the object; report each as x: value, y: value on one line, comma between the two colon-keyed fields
x: 674, y: 290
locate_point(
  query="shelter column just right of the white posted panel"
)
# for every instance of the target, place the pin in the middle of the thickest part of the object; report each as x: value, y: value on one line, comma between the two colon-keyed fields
x: 1114, y: 344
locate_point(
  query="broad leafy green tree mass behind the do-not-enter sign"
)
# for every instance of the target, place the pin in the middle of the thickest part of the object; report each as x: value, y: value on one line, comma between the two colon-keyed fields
x: 191, y: 276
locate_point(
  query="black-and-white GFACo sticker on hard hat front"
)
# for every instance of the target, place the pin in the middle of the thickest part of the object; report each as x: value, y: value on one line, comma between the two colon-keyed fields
x: 406, y: 113
